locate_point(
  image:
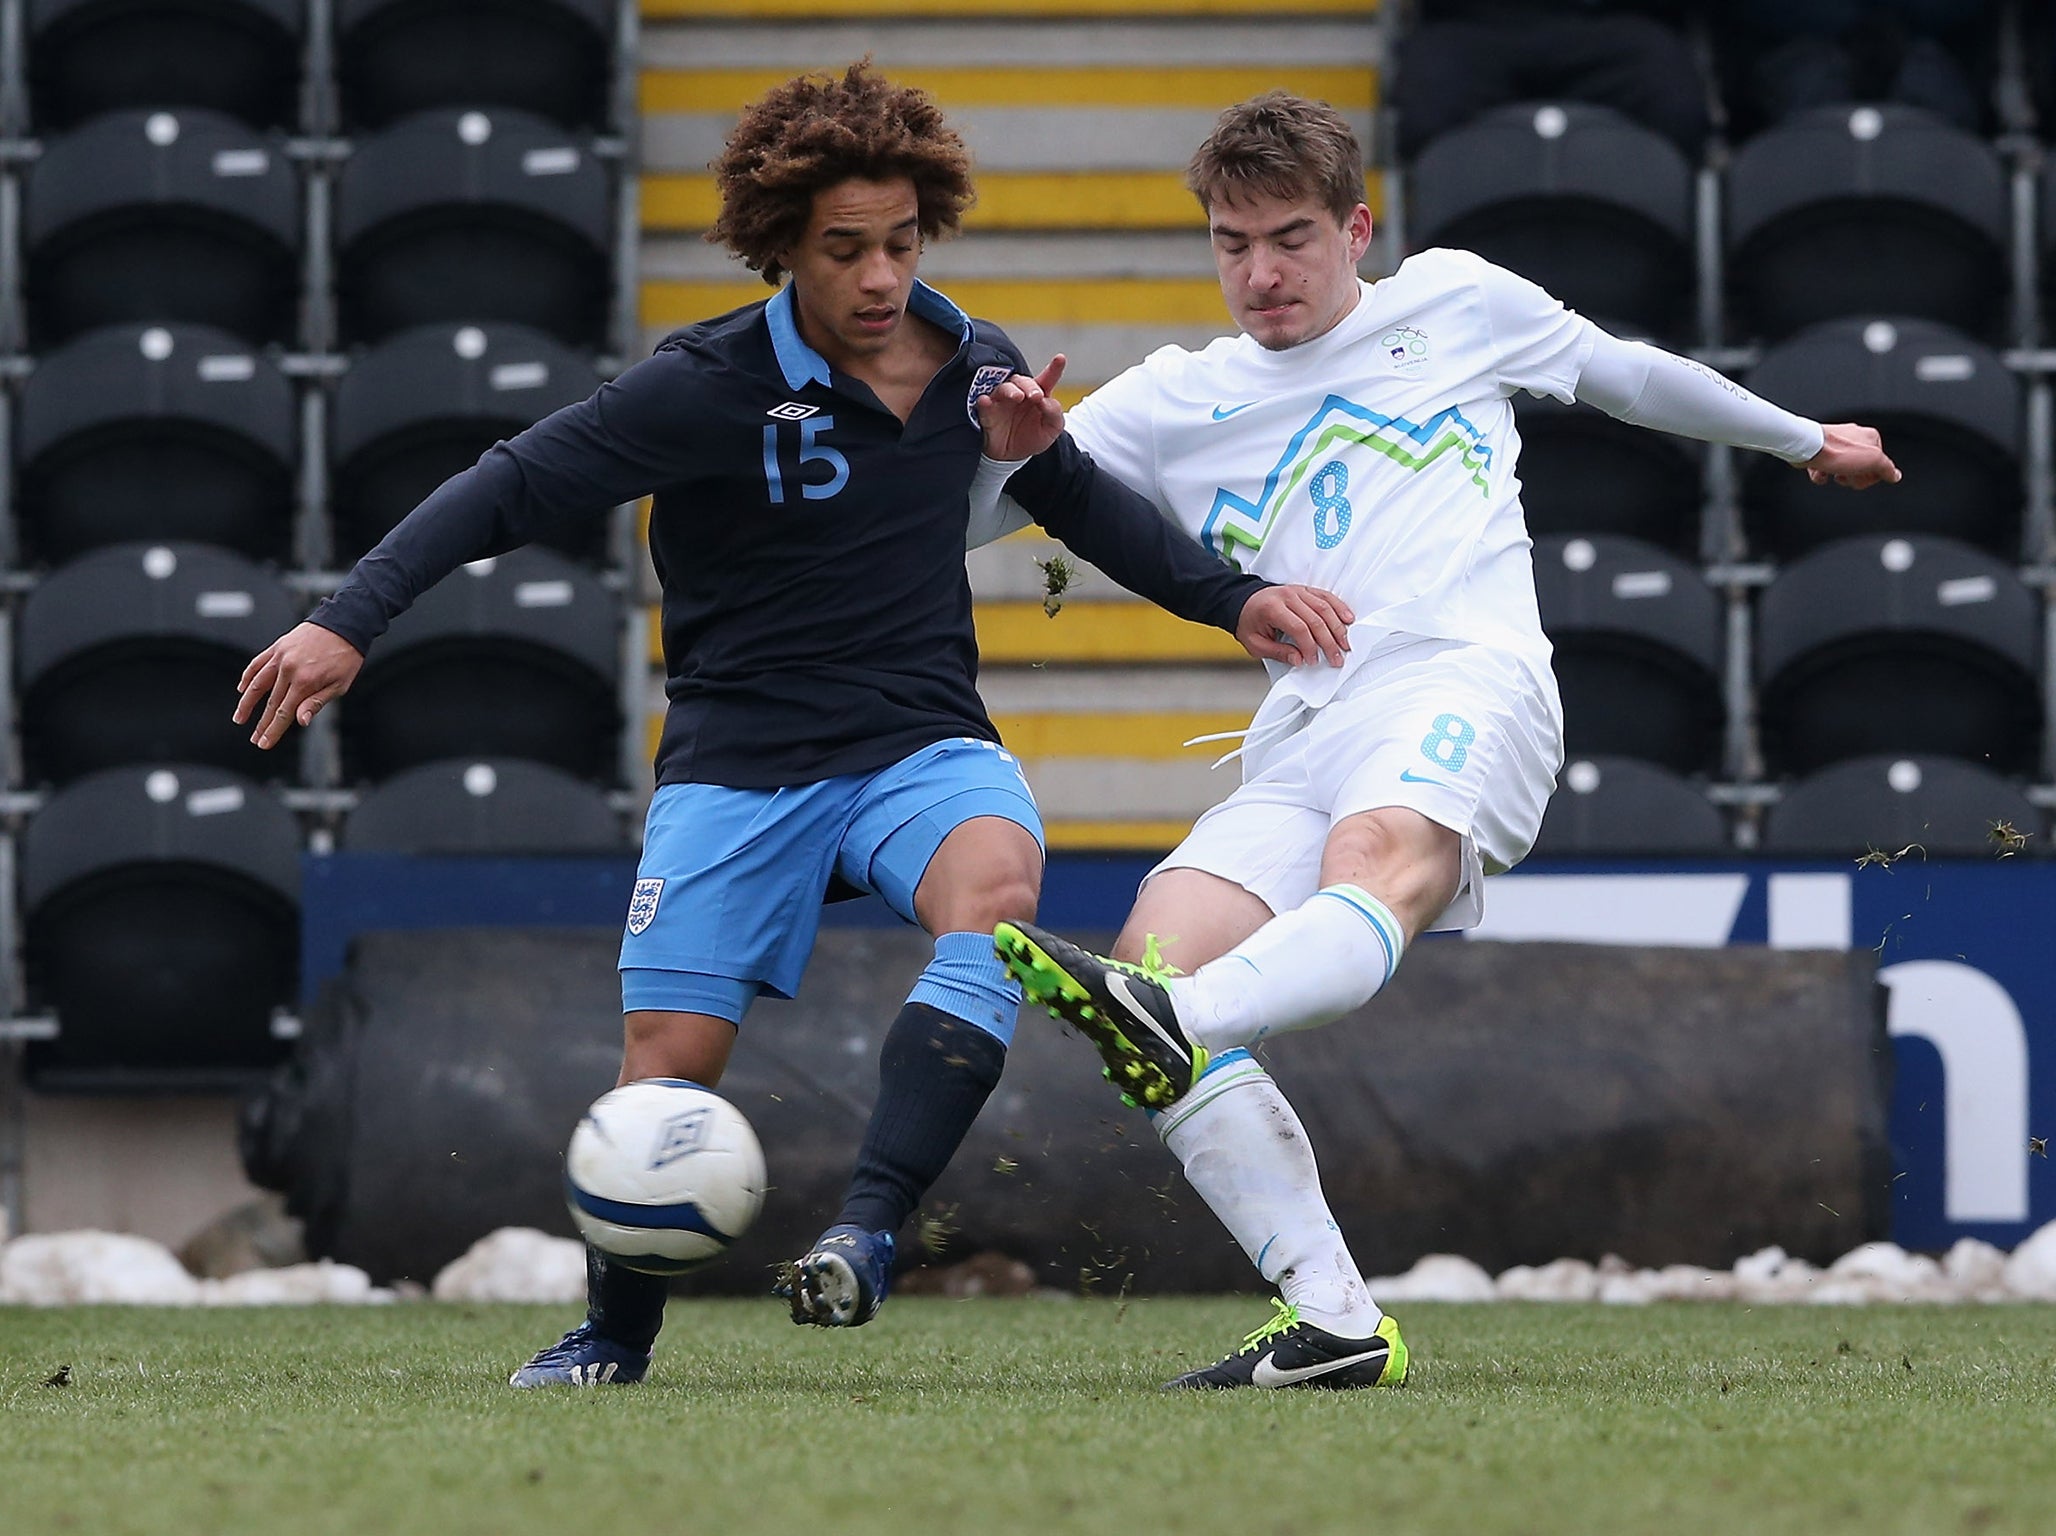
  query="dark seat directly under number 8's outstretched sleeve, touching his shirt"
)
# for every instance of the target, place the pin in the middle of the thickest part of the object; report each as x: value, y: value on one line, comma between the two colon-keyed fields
x: 1584, y: 472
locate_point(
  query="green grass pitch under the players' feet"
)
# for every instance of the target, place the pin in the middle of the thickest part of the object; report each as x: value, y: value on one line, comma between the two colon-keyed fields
x: 1031, y: 1416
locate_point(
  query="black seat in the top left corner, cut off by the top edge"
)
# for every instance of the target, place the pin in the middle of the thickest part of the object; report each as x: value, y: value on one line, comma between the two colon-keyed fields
x: 233, y: 57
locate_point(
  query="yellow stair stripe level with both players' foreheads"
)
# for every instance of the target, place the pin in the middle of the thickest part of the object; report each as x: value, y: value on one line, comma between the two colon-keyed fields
x: 1008, y: 200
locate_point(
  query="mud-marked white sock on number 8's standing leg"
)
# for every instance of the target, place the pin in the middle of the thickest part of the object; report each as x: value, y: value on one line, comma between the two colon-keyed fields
x: 1247, y: 1155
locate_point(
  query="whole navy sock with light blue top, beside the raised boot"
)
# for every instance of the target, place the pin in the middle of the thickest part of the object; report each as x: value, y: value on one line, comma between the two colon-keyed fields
x: 941, y: 1060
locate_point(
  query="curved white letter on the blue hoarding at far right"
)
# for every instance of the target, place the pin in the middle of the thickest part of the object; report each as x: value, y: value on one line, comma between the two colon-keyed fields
x: 1983, y: 1044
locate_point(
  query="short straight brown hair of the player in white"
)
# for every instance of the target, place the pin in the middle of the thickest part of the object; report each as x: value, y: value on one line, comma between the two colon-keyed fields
x: 1284, y: 147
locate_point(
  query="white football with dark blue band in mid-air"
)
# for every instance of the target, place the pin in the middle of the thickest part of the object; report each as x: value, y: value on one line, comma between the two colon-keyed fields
x: 663, y: 1175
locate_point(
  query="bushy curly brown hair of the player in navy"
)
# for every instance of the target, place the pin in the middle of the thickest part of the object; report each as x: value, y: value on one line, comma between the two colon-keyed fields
x: 815, y: 133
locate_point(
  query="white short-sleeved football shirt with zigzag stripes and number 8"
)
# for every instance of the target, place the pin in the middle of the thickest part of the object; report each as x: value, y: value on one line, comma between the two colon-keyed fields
x: 1376, y: 462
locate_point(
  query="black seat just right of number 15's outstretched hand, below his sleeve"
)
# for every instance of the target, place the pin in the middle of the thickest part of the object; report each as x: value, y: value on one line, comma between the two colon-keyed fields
x: 511, y: 657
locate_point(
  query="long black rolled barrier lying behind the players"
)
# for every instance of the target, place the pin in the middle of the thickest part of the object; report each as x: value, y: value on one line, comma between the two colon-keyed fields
x: 1504, y: 1101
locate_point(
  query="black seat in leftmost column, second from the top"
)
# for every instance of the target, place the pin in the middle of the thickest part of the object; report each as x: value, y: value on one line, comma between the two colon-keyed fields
x: 161, y: 217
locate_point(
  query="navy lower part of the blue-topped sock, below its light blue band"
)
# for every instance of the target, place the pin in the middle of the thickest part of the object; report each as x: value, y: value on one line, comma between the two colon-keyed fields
x: 934, y: 1076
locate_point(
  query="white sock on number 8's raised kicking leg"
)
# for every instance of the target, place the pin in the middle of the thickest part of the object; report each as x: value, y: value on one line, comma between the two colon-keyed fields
x: 1305, y: 967
